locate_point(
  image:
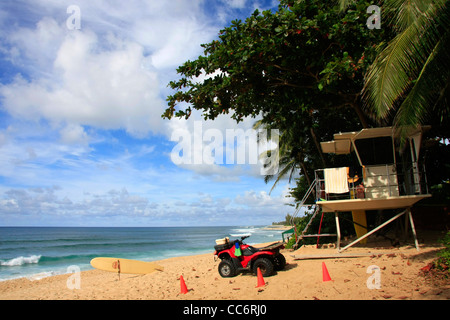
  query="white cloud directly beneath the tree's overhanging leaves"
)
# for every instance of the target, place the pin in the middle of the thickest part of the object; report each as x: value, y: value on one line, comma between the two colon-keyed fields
x: 221, y: 148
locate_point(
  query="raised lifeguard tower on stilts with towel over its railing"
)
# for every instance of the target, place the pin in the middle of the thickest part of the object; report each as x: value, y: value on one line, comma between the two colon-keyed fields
x: 388, y: 176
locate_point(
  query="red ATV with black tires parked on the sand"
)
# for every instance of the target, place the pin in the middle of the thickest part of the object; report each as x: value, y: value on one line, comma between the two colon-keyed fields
x: 237, y: 256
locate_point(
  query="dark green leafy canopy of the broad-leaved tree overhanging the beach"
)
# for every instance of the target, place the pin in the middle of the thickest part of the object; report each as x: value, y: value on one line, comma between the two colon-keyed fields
x: 304, y: 58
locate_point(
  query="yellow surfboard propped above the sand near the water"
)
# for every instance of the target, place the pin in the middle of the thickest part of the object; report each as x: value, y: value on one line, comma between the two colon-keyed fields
x: 120, y: 265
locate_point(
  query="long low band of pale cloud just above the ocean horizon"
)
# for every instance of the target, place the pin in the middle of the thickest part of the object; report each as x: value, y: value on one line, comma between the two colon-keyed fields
x: 52, y: 204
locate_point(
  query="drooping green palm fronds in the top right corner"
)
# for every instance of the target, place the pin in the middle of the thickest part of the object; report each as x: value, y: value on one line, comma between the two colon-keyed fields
x: 409, y: 79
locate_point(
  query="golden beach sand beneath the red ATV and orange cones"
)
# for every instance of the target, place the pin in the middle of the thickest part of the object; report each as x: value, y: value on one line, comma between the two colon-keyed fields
x: 400, y: 278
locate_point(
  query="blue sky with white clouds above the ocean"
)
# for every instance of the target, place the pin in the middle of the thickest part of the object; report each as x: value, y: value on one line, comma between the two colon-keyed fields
x: 83, y: 85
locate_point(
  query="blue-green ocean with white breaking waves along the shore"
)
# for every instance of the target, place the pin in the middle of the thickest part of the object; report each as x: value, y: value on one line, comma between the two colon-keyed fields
x: 38, y: 252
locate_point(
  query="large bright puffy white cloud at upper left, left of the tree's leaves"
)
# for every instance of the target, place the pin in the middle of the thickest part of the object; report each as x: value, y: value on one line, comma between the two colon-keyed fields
x: 108, y: 88
